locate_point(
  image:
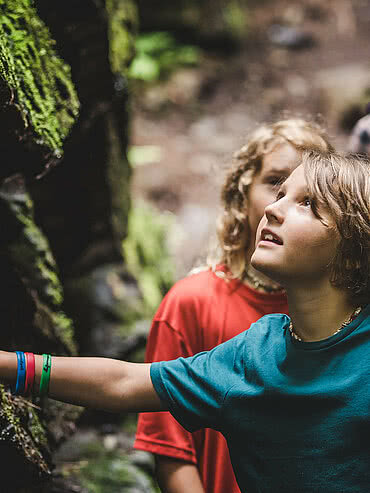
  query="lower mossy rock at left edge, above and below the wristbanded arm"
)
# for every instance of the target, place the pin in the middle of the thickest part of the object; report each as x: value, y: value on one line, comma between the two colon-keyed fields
x: 33, y: 320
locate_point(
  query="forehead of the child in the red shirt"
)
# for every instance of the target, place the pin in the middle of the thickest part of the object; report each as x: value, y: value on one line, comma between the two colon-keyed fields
x: 283, y: 159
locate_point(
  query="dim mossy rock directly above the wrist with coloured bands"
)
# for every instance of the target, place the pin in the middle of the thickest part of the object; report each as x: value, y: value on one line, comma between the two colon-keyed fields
x: 25, y: 248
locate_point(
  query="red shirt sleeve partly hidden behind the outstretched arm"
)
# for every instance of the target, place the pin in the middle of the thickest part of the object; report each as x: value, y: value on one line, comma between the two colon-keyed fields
x: 159, y: 433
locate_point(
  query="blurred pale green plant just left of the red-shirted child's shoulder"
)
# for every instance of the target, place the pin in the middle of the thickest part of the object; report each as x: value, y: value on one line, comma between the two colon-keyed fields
x: 147, y: 254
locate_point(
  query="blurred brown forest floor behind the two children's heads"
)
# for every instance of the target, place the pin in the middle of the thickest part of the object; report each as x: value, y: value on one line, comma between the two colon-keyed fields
x: 200, y: 116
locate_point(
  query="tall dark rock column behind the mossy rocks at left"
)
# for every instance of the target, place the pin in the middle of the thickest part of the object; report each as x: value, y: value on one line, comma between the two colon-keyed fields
x: 83, y: 205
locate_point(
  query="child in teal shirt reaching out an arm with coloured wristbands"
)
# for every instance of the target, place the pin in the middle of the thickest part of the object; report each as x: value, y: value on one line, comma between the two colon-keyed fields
x: 291, y: 395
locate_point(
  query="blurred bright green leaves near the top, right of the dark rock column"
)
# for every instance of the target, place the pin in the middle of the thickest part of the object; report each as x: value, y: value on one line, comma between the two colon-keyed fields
x: 158, y: 54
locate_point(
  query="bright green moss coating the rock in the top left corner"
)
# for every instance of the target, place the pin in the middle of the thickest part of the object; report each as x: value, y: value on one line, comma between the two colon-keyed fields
x: 40, y: 82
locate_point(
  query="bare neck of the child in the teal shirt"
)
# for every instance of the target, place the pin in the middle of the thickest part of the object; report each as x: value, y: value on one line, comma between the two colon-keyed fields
x: 318, y: 312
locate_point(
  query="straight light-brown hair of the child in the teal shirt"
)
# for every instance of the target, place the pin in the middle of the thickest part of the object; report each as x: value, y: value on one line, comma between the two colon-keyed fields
x: 340, y: 184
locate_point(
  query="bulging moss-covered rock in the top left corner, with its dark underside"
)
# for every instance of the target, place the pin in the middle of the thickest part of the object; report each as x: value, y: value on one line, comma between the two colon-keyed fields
x: 38, y: 100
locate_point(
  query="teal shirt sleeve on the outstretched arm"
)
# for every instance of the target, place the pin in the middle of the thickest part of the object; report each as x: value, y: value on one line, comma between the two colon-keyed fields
x: 195, y: 388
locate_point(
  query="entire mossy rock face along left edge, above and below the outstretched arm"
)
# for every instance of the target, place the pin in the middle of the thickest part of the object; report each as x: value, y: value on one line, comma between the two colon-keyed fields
x: 38, y: 106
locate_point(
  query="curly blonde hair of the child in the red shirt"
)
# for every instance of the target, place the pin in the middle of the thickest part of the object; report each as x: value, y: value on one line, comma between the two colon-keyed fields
x: 232, y: 228
